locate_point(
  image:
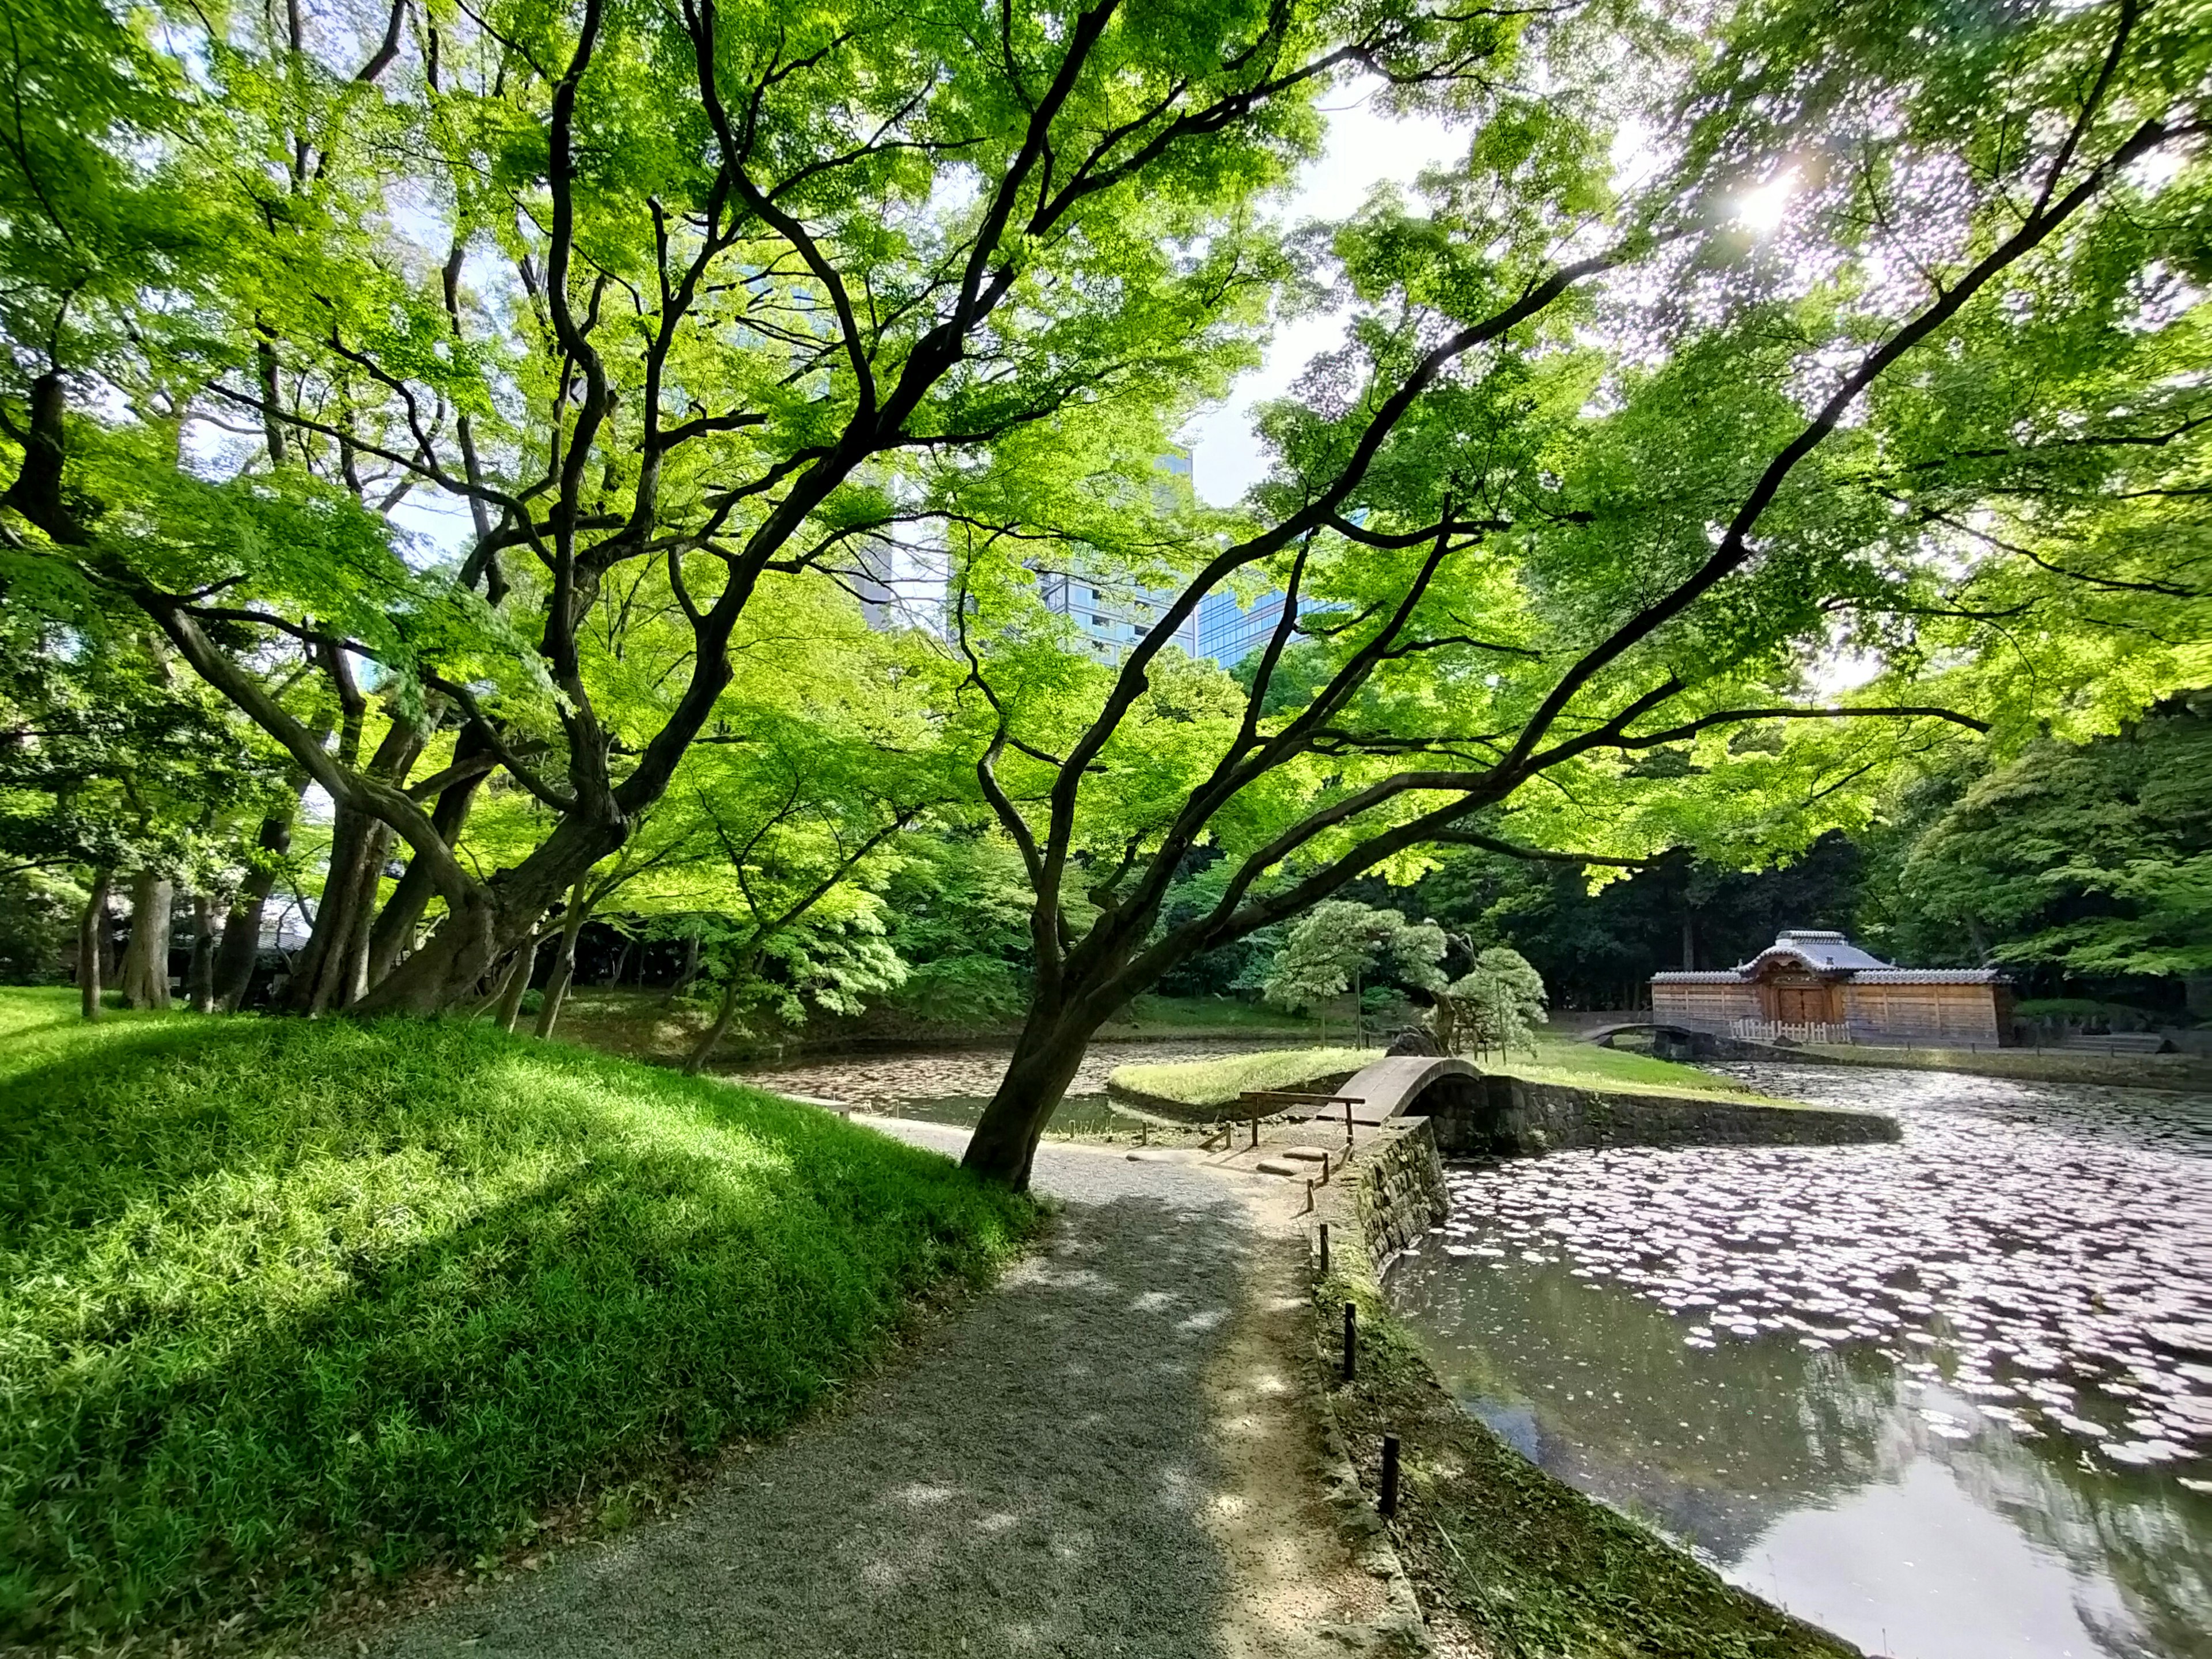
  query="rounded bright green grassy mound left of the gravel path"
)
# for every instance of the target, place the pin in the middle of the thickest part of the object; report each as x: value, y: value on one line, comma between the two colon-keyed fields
x: 286, y: 1302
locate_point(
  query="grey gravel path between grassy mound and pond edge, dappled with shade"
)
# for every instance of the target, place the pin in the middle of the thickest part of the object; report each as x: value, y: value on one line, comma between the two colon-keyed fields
x: 1105, y: 1457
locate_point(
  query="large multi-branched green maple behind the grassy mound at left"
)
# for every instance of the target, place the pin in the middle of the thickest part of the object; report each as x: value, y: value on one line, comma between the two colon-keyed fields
x: 662, y: 300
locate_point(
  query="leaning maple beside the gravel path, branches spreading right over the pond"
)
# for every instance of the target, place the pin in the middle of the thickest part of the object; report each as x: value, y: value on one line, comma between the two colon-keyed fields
x: 1614, y: 572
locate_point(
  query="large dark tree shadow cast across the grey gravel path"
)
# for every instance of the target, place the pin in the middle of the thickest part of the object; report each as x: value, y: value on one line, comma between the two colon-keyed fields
x: 1036, y: 1481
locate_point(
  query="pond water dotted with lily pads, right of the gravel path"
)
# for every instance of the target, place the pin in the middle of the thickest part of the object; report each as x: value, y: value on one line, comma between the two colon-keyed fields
x: 1950, y: 1399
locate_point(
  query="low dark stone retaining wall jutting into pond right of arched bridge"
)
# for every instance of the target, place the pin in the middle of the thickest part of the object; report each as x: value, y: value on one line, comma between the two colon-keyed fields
x: 1507, y: 1116
